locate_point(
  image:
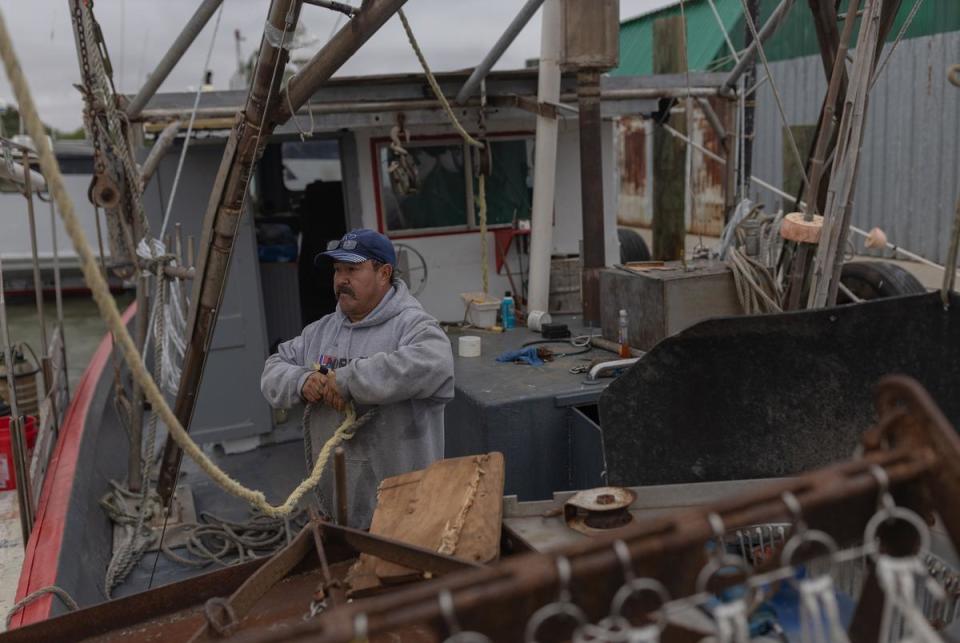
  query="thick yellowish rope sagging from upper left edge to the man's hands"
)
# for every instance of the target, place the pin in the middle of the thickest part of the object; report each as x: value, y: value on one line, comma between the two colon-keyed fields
x: 111, y: 315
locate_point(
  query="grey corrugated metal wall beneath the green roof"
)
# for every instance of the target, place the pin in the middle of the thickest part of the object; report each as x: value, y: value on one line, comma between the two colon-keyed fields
x: 910, y: 174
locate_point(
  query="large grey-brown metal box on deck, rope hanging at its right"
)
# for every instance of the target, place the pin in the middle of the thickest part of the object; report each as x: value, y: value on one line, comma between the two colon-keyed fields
x: 663, y: 300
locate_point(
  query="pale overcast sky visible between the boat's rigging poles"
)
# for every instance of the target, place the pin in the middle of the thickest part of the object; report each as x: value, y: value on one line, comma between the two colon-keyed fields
x: 453, y: 33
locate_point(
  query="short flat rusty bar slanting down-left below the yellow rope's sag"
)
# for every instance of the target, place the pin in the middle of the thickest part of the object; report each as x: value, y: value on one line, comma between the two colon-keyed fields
x: 259, y: 583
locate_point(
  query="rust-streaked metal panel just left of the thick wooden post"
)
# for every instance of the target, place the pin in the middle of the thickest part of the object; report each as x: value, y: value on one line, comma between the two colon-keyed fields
x: 635, y: 169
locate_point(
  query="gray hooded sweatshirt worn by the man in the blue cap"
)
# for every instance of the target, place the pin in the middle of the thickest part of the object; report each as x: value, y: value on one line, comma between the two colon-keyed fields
x: 397, y: 359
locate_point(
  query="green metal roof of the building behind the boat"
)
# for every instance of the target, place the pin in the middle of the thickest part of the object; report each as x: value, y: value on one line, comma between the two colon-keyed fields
x: 797, y: 37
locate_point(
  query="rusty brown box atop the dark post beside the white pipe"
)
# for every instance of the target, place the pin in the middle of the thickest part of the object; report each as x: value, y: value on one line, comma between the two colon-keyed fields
x: 591, y: 34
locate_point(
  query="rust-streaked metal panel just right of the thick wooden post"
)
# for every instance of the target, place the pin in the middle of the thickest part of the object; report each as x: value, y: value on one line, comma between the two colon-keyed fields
x: 706, y: 180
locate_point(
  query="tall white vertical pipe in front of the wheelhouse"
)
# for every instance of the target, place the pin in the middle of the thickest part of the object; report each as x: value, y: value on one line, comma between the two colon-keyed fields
x: 545, y: 158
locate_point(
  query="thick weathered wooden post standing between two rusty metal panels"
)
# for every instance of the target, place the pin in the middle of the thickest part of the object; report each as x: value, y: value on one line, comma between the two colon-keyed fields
x: 669, y: 153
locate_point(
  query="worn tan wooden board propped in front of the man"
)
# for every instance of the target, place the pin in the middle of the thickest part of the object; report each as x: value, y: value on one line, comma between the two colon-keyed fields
x: 454, y: 506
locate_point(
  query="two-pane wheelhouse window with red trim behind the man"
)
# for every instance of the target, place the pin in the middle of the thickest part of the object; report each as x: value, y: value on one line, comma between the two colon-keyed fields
x: 432, y: 187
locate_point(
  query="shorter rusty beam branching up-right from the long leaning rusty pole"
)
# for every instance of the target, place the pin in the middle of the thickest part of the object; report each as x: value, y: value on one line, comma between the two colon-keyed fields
x: 301, y: 86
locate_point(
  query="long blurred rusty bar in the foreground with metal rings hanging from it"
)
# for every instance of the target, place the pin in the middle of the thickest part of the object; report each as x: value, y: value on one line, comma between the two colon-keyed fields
x: 914, y: 463
